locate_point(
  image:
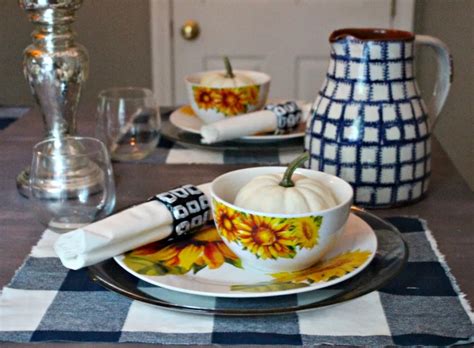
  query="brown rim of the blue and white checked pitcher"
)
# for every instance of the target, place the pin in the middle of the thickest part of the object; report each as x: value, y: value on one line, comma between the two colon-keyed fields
x: 372, y: 34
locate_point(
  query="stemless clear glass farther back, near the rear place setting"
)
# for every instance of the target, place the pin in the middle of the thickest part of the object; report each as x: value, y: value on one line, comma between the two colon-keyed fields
x: 128, y: 122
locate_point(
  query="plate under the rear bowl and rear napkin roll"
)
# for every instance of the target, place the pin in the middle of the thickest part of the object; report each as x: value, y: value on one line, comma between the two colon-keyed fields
x: 185, y: 119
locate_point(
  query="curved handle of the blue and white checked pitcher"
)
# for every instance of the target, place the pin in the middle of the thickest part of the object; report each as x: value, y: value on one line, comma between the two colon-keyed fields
x: 445, y: 74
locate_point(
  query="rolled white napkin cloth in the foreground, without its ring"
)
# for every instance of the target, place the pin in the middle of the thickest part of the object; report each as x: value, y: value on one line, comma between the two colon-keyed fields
x: 139, y: 225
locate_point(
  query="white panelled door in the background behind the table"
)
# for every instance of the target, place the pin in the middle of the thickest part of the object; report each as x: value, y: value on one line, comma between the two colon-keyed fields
x: 288, y: 39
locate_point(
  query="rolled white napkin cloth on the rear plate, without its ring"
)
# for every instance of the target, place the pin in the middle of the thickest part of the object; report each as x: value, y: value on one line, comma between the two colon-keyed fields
x: 244, y: 125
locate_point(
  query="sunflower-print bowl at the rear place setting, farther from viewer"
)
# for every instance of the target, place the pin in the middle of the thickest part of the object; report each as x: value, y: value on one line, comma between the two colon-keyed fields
x: 212, y: 104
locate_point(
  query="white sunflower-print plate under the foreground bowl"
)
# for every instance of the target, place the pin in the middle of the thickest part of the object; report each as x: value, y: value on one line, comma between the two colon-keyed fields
x: 203, y: 265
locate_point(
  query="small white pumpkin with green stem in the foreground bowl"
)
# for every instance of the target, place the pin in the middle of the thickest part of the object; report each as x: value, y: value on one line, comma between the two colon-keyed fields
x: 285, y: 194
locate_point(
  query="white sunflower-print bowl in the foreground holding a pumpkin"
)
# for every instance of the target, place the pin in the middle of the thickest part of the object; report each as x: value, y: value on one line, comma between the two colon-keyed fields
x: 278, y: 242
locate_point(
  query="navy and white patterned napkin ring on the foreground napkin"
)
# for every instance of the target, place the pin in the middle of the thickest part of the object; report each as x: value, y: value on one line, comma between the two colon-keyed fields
x: 188, y: 206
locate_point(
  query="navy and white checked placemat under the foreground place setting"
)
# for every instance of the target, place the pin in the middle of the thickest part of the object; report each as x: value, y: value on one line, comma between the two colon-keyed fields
x: 423, y: 306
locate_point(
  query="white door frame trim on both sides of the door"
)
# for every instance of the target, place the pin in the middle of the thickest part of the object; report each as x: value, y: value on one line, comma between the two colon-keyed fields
x: 161, y: 37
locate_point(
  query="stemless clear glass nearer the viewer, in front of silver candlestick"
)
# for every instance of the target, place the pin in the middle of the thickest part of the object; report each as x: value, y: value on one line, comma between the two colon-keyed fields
x: 71, y: 182
